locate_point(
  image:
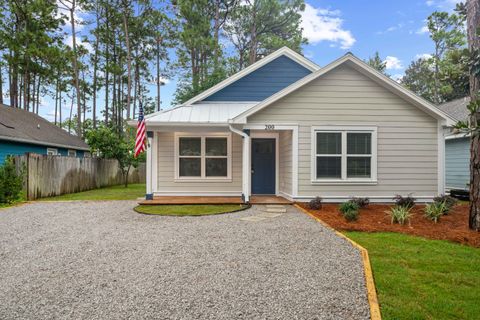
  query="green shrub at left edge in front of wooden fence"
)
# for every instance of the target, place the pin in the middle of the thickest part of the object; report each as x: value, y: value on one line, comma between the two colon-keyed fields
x: 11, y: 182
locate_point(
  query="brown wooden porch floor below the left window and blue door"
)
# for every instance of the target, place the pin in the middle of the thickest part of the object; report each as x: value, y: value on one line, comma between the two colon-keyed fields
x: 213, y: 200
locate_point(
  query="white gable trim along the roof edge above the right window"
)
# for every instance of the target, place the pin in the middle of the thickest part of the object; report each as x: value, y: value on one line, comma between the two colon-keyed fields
x: 362, y: 67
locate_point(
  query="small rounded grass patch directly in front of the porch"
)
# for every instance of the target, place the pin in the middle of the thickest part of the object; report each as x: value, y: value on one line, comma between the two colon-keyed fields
x: 189, y: 210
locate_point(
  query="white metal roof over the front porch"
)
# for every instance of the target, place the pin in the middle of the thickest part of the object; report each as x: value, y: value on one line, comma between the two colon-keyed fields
x: 201, y: 113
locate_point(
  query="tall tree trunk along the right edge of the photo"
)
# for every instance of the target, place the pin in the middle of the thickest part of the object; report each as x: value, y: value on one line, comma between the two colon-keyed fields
x: 473, y: 26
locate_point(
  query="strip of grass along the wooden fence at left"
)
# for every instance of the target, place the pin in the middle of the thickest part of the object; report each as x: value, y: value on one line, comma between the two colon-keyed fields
x: 132, y: 192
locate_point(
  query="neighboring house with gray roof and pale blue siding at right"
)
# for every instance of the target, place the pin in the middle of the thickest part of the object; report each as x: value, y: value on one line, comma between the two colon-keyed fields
x: 457, y: 148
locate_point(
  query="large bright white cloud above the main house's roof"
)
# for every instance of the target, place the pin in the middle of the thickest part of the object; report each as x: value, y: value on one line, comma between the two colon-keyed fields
x: 325, y: 25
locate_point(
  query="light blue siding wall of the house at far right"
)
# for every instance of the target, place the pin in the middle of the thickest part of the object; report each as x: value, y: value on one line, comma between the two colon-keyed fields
x: 457, y: 159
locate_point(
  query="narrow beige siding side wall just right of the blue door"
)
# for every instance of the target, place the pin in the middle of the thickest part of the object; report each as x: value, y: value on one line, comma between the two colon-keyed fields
x: 285, y: 162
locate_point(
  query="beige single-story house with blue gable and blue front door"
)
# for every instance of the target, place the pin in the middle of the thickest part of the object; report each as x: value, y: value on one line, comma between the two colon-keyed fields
x: 285, y: 126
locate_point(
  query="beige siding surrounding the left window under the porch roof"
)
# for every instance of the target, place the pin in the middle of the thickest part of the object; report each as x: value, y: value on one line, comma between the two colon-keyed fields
x: 166, y: 175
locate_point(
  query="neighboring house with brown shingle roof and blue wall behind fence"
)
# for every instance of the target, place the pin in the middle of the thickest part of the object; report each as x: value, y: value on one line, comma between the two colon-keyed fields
x: 22, y: 131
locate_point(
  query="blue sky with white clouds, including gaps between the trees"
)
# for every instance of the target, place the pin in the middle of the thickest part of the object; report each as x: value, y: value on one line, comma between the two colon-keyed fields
x: 394, y: 28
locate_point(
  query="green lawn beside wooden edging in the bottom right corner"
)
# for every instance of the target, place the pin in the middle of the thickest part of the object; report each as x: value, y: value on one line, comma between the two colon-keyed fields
x: 417, y: 278
